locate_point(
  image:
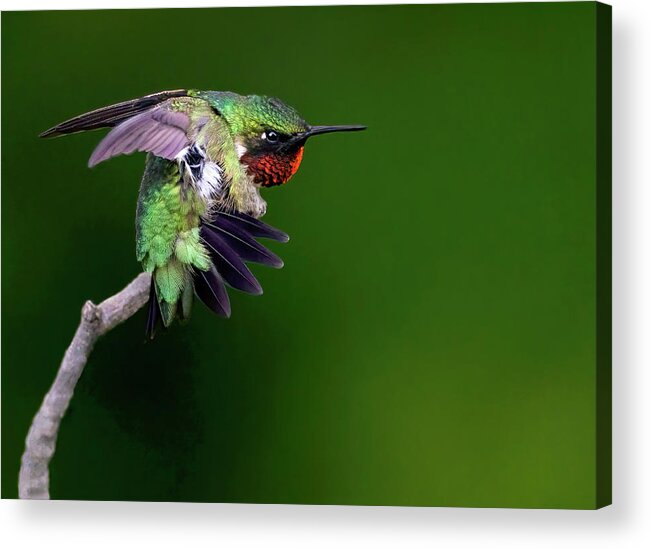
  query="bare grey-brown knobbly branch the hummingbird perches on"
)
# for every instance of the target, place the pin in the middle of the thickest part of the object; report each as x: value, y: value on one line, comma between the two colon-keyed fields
x: 96, y: 320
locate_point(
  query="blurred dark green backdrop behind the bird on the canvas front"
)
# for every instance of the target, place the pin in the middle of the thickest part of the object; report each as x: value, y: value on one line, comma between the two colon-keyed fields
x: 431, y: 339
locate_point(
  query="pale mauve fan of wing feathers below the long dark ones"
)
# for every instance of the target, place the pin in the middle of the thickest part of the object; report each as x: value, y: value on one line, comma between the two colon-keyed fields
x: 159, y: 131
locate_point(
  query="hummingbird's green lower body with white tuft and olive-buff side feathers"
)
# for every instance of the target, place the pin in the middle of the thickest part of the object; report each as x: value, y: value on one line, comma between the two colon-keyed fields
x: 172, y: 204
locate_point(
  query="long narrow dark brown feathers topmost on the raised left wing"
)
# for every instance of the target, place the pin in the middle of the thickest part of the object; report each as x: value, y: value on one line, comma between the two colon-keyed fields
x: 107, y: 117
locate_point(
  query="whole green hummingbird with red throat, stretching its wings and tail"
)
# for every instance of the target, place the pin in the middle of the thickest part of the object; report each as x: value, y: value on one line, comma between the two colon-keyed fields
x: 209, y: 154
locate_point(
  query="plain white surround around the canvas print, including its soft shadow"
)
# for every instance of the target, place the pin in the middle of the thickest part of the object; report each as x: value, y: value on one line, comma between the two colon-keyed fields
x: 626, y: 524
